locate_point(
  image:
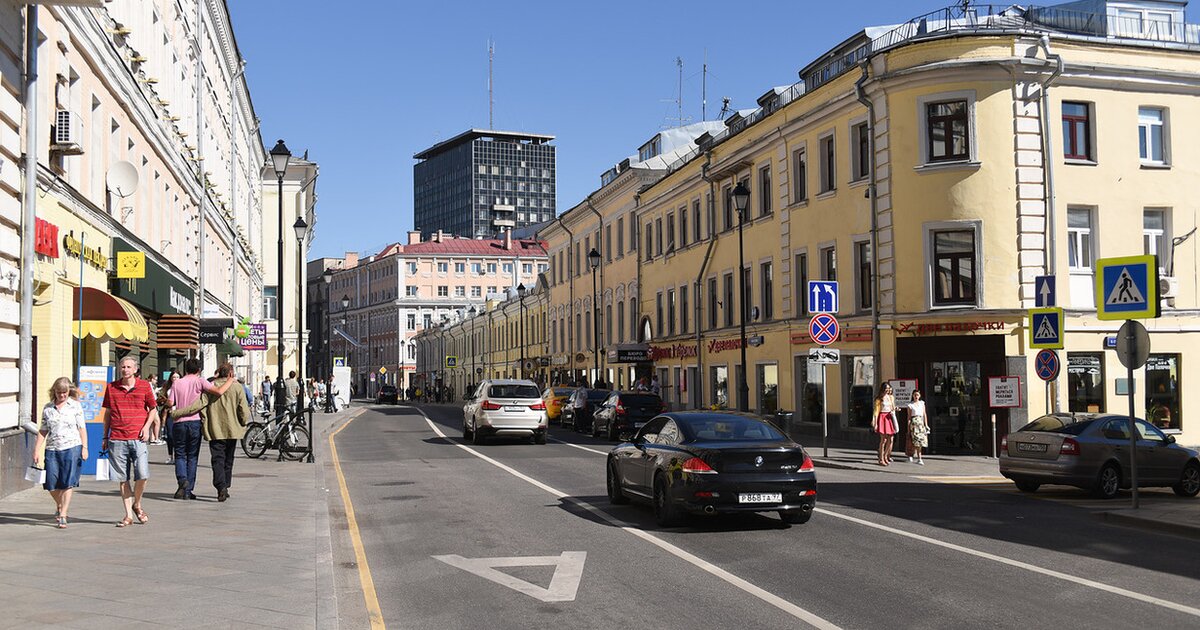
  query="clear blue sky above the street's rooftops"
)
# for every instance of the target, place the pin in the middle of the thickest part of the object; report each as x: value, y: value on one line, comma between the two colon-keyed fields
x: 365, y: 85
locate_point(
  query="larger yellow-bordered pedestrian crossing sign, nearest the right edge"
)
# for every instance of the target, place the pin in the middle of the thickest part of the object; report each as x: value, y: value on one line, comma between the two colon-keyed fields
x: 1127, y: 287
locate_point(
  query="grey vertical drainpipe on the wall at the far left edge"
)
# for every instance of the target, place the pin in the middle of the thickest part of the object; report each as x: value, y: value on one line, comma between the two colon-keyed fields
x: 28, y: 220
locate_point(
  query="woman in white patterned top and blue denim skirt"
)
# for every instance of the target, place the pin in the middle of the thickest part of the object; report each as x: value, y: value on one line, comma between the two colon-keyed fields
x: 65, y: 439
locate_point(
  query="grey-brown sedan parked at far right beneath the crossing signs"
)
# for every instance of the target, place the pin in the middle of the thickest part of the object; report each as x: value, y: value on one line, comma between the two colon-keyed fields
x: 1091, y: 452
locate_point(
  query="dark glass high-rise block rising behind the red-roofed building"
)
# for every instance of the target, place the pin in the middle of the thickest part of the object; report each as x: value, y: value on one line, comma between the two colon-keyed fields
x: 483, y: 183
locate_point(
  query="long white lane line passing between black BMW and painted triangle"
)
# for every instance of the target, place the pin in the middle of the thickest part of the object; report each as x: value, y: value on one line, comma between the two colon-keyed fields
x: 752, y: 590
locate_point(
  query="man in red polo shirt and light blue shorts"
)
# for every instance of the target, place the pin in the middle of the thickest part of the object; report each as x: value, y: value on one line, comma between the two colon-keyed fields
x: 131, y: 419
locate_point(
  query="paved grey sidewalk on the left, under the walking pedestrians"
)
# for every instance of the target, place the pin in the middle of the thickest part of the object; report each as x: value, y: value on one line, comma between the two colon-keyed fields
x: 261, y: 560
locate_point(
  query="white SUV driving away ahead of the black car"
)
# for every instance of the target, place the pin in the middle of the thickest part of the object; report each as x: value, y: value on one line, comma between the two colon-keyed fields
x: 505, y: 407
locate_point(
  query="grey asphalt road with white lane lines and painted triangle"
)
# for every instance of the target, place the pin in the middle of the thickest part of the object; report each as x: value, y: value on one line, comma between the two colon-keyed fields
x: 513, y: 535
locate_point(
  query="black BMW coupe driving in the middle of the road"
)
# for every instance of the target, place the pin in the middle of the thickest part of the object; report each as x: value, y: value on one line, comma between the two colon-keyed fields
x: 713, y: 463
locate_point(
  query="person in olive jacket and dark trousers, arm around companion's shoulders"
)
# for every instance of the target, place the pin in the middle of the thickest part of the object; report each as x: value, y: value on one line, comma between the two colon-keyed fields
x: 224, y: 421
